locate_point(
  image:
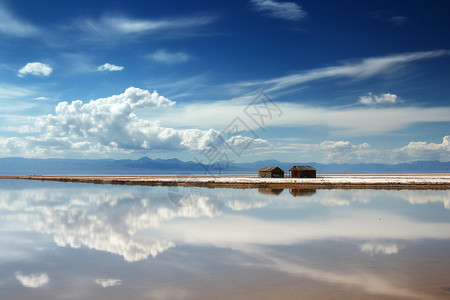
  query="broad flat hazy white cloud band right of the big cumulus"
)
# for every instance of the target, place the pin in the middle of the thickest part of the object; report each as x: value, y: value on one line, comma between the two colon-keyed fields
x: 349, y: 121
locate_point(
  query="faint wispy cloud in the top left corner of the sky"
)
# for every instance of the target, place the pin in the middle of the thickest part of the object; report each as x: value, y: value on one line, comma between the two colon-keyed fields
x: 10, y: 25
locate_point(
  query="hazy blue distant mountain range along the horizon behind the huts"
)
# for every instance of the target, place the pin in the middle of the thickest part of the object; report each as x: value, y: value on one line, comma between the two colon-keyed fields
x: 145, y: 165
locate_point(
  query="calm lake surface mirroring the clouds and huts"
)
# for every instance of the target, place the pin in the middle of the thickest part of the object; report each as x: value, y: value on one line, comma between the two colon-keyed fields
x: 83, y: 241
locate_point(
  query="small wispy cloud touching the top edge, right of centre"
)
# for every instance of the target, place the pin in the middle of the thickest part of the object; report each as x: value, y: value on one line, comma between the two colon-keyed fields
x: 283, y: 10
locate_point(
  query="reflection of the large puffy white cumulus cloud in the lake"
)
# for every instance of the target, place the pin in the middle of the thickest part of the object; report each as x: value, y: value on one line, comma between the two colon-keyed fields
x: 108, y: 220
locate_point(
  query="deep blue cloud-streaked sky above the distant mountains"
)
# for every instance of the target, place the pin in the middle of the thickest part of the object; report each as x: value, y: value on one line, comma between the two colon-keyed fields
x: 298, y: 81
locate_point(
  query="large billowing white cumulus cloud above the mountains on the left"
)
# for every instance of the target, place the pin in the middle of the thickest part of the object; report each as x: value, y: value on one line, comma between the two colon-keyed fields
x: 110, y: 125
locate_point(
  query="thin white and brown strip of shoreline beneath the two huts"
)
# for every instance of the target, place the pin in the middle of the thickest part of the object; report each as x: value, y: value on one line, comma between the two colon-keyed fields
x: 366, y: 181
